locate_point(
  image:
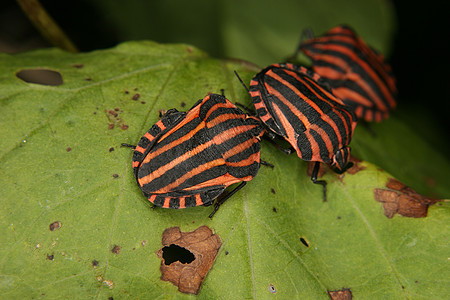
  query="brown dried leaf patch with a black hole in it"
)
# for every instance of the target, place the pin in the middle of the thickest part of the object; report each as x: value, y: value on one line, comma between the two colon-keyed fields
x: 199, y: 246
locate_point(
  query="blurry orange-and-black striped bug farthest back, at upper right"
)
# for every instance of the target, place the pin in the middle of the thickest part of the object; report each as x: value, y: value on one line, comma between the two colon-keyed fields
x: 357, y: 74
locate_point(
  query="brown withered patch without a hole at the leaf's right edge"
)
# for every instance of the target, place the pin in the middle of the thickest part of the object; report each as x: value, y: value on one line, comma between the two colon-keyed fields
x: 401, y: 199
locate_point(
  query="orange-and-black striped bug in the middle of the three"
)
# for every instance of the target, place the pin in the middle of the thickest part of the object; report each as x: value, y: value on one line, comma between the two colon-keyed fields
x: 295, y: 104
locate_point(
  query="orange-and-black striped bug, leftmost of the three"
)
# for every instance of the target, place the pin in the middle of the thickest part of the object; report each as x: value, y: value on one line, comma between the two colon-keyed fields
x: 188, y: 158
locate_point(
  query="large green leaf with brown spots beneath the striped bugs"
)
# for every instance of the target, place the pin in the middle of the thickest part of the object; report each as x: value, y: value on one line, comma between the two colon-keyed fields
x: 57, y: 164
